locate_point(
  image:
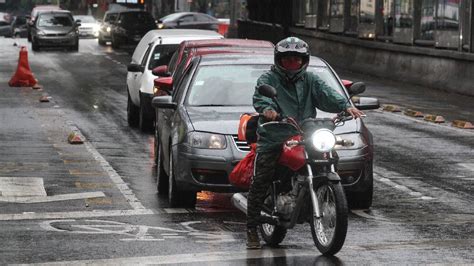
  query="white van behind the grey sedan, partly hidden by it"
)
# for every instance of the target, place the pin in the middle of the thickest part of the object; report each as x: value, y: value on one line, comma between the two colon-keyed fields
x: 154, y: 49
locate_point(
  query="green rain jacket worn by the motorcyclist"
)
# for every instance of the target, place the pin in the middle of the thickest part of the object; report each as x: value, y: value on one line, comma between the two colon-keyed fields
x: 298, y: 99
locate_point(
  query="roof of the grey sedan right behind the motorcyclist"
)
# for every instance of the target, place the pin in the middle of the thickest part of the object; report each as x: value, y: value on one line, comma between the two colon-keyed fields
x: 249, y: 58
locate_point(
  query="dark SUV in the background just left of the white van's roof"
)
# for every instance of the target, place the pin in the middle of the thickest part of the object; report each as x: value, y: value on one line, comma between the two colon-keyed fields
x: 130, y: 26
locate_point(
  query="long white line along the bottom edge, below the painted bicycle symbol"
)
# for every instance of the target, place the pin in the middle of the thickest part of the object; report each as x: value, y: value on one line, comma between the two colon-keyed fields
x: 194, y: 257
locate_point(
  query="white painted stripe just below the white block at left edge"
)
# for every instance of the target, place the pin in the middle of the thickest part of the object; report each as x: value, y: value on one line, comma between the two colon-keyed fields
x: 62, y: 197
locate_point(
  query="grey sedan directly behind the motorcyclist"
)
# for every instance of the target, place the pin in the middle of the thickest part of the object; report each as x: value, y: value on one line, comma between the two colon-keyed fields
x: 197, y: 127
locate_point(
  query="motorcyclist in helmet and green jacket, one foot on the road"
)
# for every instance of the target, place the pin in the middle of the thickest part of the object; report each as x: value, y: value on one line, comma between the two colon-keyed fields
x: 299, y: 94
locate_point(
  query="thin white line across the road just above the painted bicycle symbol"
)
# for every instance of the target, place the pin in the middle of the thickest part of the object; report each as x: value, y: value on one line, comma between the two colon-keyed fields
x: 71, y: 214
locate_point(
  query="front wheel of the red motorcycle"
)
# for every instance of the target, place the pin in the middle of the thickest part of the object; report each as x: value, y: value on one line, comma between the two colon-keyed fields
x: 329, y: 231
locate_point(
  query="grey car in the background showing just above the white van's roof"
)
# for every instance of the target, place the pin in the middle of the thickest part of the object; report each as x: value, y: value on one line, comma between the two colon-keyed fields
x: 188, y: 20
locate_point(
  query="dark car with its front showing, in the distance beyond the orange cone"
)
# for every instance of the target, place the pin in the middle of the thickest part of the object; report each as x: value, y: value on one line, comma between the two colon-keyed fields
x: 55, y: 28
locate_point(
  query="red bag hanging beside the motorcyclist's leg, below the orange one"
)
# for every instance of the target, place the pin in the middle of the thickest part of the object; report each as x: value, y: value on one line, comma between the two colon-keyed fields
x: 242, y: 174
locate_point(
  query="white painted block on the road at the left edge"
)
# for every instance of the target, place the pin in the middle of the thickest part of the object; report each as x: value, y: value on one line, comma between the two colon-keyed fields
x: 21, y: 187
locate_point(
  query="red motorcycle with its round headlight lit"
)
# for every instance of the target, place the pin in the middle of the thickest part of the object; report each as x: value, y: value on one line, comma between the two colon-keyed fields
x: 306, y: 187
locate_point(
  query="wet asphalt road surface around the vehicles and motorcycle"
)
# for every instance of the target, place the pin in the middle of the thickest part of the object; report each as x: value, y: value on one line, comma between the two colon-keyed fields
x: 423, y: 200
